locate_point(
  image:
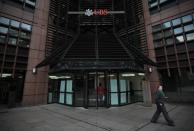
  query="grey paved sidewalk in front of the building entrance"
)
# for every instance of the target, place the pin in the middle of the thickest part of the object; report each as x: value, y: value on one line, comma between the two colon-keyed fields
x: 55, y: 117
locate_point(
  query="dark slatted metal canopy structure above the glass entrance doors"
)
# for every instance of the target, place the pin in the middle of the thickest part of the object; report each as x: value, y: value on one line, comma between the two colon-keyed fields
x: 91, y: 42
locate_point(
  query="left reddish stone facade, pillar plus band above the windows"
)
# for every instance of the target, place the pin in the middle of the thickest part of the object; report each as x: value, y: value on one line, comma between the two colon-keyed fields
x: 35, y: 85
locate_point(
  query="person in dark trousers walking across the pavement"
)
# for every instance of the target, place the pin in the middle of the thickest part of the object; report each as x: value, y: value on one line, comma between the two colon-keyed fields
x: 160, y: 98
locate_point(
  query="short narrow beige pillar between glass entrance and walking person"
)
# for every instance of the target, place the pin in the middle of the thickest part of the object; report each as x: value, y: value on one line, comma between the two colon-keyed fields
x: 147, y: 99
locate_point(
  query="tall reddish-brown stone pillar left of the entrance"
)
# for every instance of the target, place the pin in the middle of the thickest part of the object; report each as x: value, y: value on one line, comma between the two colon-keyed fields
x: 36, y: 85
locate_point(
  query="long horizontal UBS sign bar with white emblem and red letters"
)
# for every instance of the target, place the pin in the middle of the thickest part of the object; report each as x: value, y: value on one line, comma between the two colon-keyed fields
x: 95, y: 12
